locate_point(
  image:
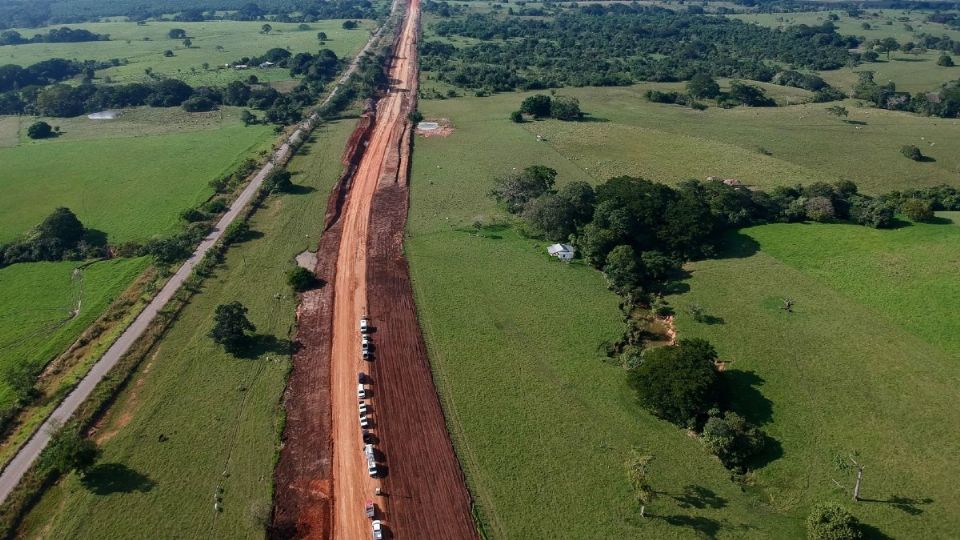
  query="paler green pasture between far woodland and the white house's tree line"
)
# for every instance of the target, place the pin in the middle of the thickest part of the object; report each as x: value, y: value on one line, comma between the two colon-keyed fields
x: 764, y: 147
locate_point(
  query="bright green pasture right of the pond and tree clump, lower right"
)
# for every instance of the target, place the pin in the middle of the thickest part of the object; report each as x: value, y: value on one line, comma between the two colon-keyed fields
x: 865, y: 363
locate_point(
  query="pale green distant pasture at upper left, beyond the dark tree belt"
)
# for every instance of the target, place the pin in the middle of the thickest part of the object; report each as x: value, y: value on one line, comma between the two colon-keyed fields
x: 236, y: 38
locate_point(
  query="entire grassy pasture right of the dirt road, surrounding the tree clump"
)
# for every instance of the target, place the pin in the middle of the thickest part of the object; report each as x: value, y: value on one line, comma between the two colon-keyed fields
x: 503, y: 319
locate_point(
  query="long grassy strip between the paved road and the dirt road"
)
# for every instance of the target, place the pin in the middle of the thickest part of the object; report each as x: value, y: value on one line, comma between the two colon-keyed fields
x: 219, y: 413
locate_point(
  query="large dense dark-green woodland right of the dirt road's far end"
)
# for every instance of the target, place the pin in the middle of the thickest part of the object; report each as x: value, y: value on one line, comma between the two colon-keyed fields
x: 621, y: 44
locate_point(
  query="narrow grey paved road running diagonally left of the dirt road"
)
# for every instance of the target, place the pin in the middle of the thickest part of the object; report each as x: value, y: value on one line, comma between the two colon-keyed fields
x: 19, y: 465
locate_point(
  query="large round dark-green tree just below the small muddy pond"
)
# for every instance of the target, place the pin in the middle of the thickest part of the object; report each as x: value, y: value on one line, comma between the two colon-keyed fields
x: 678, y: 383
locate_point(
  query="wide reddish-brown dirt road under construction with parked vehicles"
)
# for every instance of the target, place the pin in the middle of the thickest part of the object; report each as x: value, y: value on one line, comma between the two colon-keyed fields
x: 322, y: 480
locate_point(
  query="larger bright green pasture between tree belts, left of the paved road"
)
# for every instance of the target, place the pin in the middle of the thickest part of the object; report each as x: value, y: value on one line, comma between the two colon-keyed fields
x: 128, y: 177
